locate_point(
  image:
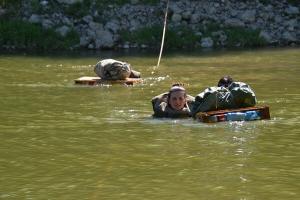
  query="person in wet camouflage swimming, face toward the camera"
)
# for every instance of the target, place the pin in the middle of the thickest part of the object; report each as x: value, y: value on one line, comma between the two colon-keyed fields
x: 175, y: 103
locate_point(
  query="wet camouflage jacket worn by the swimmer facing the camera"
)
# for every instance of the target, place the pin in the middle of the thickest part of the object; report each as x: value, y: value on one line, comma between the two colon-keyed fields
x: 161, y: 107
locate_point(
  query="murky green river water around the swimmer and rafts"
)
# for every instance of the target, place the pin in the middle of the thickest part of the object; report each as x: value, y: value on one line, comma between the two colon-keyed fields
x: 61, y: 141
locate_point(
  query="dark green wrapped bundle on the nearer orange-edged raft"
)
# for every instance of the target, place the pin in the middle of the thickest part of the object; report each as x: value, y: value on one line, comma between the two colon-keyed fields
x: 237, y: 95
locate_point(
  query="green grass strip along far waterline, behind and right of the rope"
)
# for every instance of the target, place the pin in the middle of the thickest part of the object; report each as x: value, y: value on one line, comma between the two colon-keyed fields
x: 183, y: 37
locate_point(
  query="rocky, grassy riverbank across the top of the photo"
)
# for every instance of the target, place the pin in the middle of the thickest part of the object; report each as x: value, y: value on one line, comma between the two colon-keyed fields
x: 124, y: 24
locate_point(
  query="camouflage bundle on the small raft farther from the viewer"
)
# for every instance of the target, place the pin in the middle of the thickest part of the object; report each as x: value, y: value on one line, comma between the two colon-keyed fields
x: 110, y: 69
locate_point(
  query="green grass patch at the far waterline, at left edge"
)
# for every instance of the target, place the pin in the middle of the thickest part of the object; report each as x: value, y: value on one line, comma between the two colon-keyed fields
x: 25, y: 35
